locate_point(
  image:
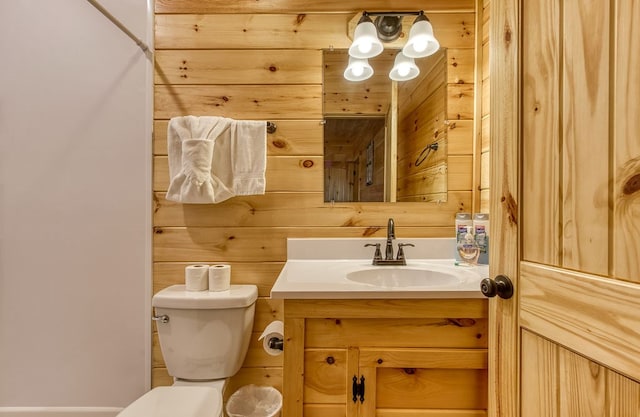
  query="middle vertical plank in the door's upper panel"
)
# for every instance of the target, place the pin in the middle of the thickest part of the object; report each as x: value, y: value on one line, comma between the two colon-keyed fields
x: 585, y: 128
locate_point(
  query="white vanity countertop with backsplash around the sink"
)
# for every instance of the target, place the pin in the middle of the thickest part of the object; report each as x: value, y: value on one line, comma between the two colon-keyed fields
x: 318, y: 268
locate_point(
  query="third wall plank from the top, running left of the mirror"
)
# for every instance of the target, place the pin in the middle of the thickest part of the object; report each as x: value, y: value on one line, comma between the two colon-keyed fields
x: 240, y: 66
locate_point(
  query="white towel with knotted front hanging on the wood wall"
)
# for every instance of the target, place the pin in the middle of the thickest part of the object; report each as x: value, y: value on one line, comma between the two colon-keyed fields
x: 212, y: 159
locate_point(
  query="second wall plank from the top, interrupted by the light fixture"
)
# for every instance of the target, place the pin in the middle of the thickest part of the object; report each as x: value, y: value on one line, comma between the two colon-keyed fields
x: 282, y: 31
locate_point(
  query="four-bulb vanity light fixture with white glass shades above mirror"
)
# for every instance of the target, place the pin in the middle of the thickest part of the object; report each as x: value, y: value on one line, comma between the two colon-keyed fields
x: 368, y: 38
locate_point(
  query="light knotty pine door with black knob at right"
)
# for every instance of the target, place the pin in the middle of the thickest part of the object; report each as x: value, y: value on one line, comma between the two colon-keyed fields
x: 566, y: 208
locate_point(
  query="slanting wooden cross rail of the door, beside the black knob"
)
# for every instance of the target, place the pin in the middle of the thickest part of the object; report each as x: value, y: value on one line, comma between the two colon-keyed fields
x: 598, y: 317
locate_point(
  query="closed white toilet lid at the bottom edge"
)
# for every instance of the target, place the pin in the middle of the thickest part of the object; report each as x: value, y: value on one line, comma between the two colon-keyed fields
x: 183, y: 401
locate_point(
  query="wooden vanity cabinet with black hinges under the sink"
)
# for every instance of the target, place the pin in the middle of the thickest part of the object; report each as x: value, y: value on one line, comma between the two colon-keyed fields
x: 417, y: 358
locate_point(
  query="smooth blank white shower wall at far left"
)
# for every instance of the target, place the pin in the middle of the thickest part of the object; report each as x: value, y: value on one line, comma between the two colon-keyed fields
x: 75, y: 207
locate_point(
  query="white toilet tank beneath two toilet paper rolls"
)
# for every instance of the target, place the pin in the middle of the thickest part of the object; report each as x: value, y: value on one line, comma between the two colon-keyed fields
x: 208, y: 332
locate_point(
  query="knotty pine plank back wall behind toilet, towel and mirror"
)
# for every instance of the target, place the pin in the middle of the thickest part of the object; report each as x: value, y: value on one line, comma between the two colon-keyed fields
x: 263, y: 60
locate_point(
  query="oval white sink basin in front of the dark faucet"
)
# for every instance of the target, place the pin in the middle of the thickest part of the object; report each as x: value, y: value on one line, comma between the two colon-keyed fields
x: 402, y: 277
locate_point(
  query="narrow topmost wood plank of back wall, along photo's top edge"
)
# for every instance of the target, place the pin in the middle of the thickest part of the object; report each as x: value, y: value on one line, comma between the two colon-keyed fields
x: 302, y: 6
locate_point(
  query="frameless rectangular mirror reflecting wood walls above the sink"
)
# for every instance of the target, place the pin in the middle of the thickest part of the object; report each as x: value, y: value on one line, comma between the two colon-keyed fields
x: 385, y: 140
